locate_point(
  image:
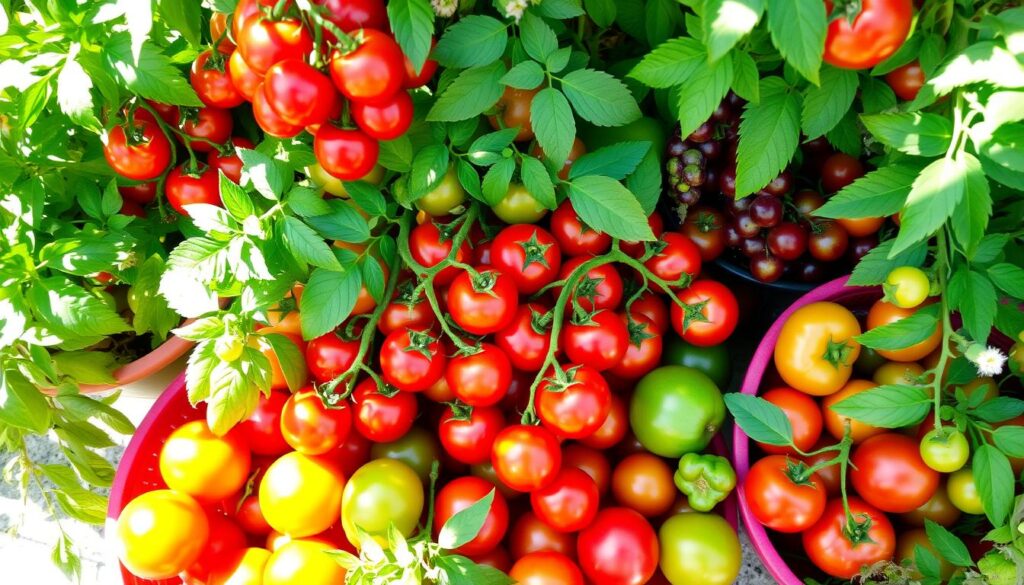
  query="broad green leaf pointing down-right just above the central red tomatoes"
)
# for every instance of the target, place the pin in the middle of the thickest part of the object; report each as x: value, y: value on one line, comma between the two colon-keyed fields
x: 608, y: 206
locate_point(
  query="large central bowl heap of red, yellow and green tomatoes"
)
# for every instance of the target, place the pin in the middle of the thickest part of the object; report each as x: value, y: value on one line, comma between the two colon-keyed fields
x: 532, y: 378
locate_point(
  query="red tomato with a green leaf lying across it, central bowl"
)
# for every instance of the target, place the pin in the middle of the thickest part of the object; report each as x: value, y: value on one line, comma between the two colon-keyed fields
x: 461, y: 493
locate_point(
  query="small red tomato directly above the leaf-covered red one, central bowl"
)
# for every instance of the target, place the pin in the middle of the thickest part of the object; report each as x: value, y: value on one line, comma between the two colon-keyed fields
x: 468, y: 437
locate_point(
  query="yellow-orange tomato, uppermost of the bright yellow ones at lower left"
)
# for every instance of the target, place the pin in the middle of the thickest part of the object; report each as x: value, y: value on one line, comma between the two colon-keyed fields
x: 198, y: 463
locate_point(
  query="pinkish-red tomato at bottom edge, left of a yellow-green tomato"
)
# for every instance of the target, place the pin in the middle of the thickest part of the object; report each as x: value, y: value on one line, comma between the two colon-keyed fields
x: 620, y: 547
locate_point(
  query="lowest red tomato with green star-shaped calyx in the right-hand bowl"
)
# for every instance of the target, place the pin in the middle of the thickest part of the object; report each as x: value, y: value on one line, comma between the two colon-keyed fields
x: 830, y: 548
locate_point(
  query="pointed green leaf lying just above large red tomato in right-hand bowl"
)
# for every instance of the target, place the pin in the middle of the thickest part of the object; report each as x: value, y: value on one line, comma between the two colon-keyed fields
x: 891, y: 406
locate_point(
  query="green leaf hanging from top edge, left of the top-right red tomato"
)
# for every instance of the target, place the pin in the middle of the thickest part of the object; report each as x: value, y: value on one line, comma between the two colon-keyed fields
x: 798, y: 29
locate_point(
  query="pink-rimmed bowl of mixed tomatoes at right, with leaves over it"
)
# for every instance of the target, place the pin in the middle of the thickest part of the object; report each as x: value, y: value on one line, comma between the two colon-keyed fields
x: 848, y: 483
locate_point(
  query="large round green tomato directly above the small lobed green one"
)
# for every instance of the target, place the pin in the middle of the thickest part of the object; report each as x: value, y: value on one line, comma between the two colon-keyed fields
x: 676, y: 410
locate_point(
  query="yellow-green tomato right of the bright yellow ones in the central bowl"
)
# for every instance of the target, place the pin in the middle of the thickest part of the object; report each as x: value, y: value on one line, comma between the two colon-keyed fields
x: 379, y: 494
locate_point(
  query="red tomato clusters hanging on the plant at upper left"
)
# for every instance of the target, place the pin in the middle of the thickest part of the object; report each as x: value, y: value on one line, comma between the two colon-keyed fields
x: 266, y: 62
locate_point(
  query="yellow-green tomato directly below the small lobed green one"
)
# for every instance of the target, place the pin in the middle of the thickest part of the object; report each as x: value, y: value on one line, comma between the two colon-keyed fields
x: 699, y: 549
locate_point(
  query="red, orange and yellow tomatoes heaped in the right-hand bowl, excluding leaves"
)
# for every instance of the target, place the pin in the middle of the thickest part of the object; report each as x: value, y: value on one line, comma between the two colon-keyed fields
x: 897, y: 479
